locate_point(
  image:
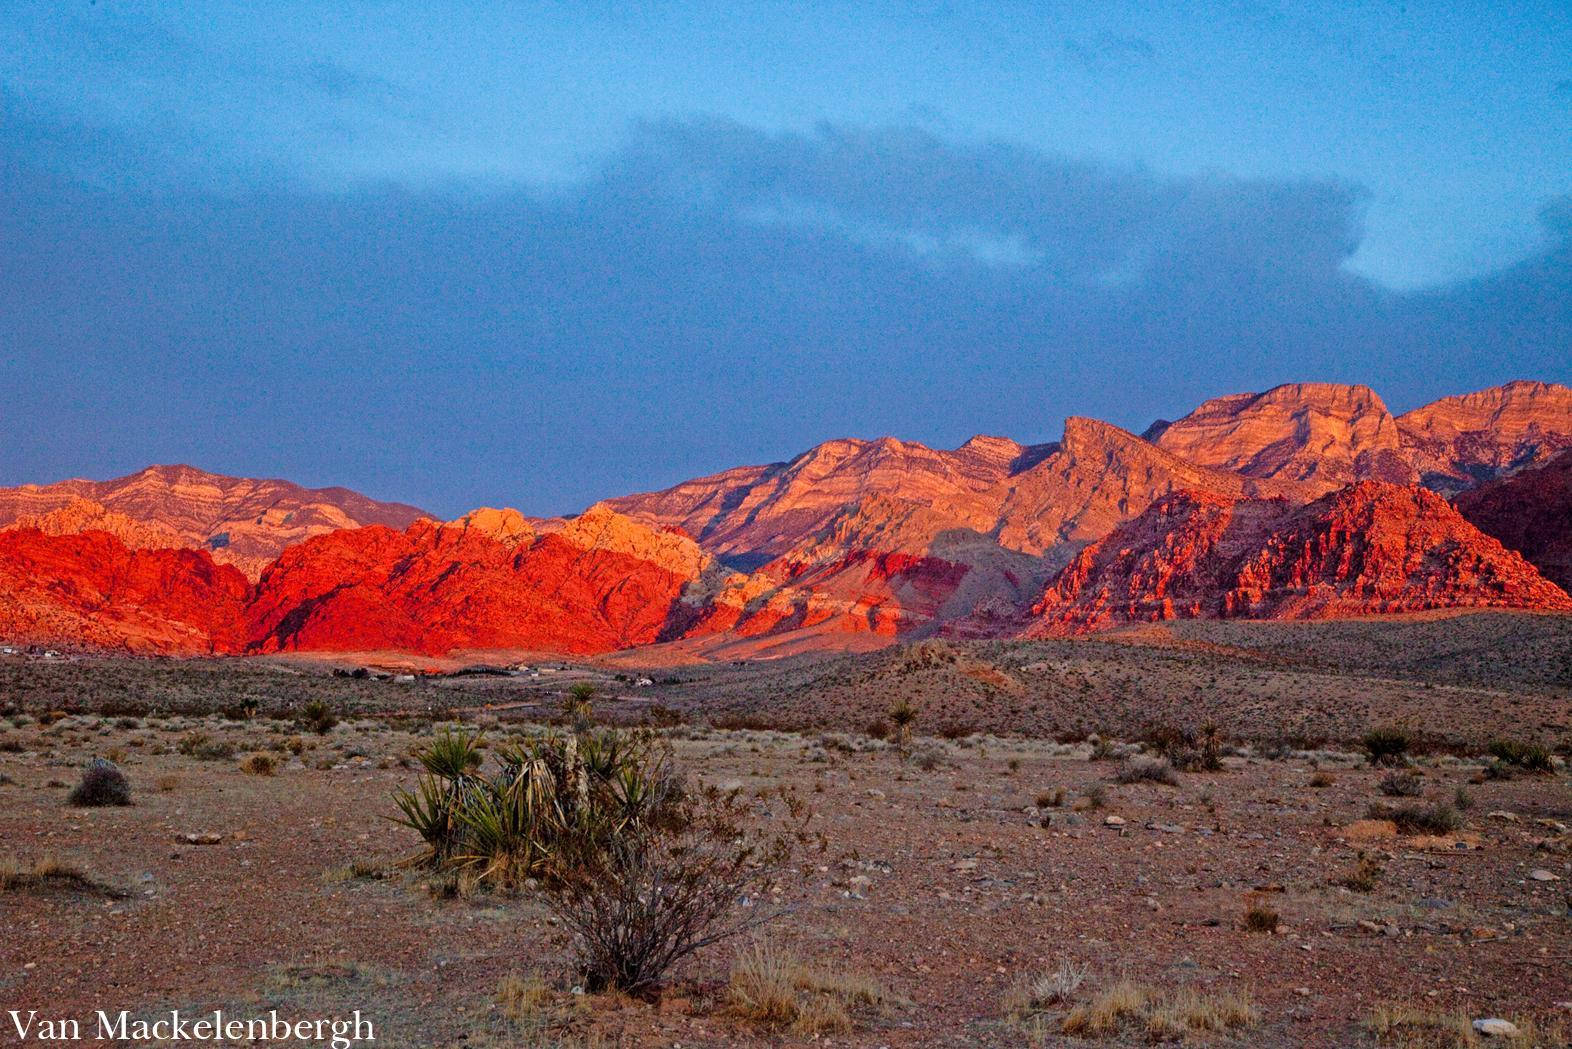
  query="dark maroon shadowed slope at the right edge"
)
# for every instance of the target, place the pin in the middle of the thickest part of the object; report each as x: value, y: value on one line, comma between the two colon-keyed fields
x: 1532, y: 513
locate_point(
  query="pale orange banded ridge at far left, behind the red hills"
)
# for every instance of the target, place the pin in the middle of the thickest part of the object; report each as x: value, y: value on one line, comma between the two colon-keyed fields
x: 243, y: 521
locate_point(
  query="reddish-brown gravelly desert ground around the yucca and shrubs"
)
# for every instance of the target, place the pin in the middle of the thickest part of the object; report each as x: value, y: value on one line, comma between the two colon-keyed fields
x: 949, y: 878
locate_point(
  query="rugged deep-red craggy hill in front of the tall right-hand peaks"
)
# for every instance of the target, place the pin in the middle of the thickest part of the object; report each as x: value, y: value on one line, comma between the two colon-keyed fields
x: 1370, y: 548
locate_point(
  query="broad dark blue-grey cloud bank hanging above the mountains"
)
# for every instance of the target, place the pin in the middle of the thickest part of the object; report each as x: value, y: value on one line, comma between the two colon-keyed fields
x: 711, y: 295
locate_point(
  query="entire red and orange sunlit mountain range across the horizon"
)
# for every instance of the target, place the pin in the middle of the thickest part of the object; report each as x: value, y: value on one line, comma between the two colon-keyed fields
x: 1307, y: 501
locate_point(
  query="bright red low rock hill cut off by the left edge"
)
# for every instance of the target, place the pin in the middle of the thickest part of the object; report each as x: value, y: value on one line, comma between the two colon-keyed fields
x: 90, y: 591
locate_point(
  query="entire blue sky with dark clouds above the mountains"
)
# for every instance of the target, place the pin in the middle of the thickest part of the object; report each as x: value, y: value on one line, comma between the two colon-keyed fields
x: 543, y: 254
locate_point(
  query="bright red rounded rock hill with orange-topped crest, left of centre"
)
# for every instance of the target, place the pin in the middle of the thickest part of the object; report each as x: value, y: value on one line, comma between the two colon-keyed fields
x: 597, y: 584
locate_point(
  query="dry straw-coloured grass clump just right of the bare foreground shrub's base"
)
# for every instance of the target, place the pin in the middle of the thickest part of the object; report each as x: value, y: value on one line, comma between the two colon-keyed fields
x: 773, y: 988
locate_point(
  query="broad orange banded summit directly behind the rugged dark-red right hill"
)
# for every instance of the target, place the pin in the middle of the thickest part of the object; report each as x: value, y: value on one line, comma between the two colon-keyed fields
x: 1318, y: 435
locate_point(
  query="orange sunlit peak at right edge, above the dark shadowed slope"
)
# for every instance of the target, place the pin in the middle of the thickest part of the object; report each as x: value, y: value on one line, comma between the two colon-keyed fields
x: 1463, y: 441
